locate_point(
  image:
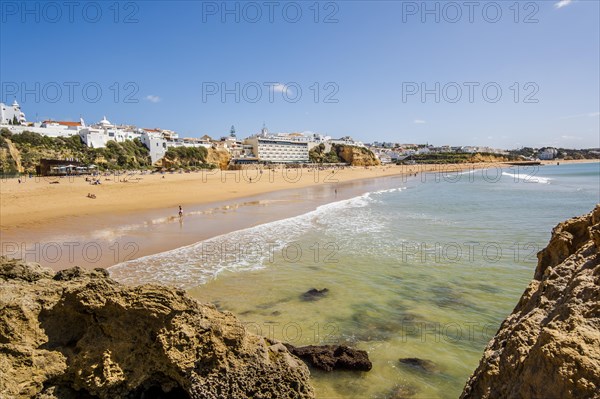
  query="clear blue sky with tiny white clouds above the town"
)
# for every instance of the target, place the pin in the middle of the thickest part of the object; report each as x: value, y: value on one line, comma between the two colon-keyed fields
x: 411, y: 72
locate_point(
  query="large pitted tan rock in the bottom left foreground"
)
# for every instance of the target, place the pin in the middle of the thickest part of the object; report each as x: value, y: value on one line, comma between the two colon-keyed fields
x: 78, y: 333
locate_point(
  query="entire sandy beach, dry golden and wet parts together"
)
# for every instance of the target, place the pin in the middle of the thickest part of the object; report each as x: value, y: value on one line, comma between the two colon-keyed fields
x: 129, y: 232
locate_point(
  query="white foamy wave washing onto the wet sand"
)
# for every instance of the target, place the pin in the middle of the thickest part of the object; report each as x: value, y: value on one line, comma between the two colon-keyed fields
x: 248, y: 249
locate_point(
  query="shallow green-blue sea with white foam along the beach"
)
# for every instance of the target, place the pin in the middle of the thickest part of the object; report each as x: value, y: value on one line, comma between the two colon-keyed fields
x: 423, y: 267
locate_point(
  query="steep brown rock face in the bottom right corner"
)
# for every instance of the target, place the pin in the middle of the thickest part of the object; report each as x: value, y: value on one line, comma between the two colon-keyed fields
x: 549, y: 347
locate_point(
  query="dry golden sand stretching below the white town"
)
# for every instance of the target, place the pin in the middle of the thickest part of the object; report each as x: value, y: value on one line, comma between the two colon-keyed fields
x: 40, y: 201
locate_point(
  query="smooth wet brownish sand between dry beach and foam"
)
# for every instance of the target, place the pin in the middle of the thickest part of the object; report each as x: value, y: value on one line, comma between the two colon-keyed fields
x: 91, y: 241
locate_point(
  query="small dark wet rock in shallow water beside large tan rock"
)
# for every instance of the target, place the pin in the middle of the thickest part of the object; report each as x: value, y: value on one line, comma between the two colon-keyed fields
x: 332, y: 357
